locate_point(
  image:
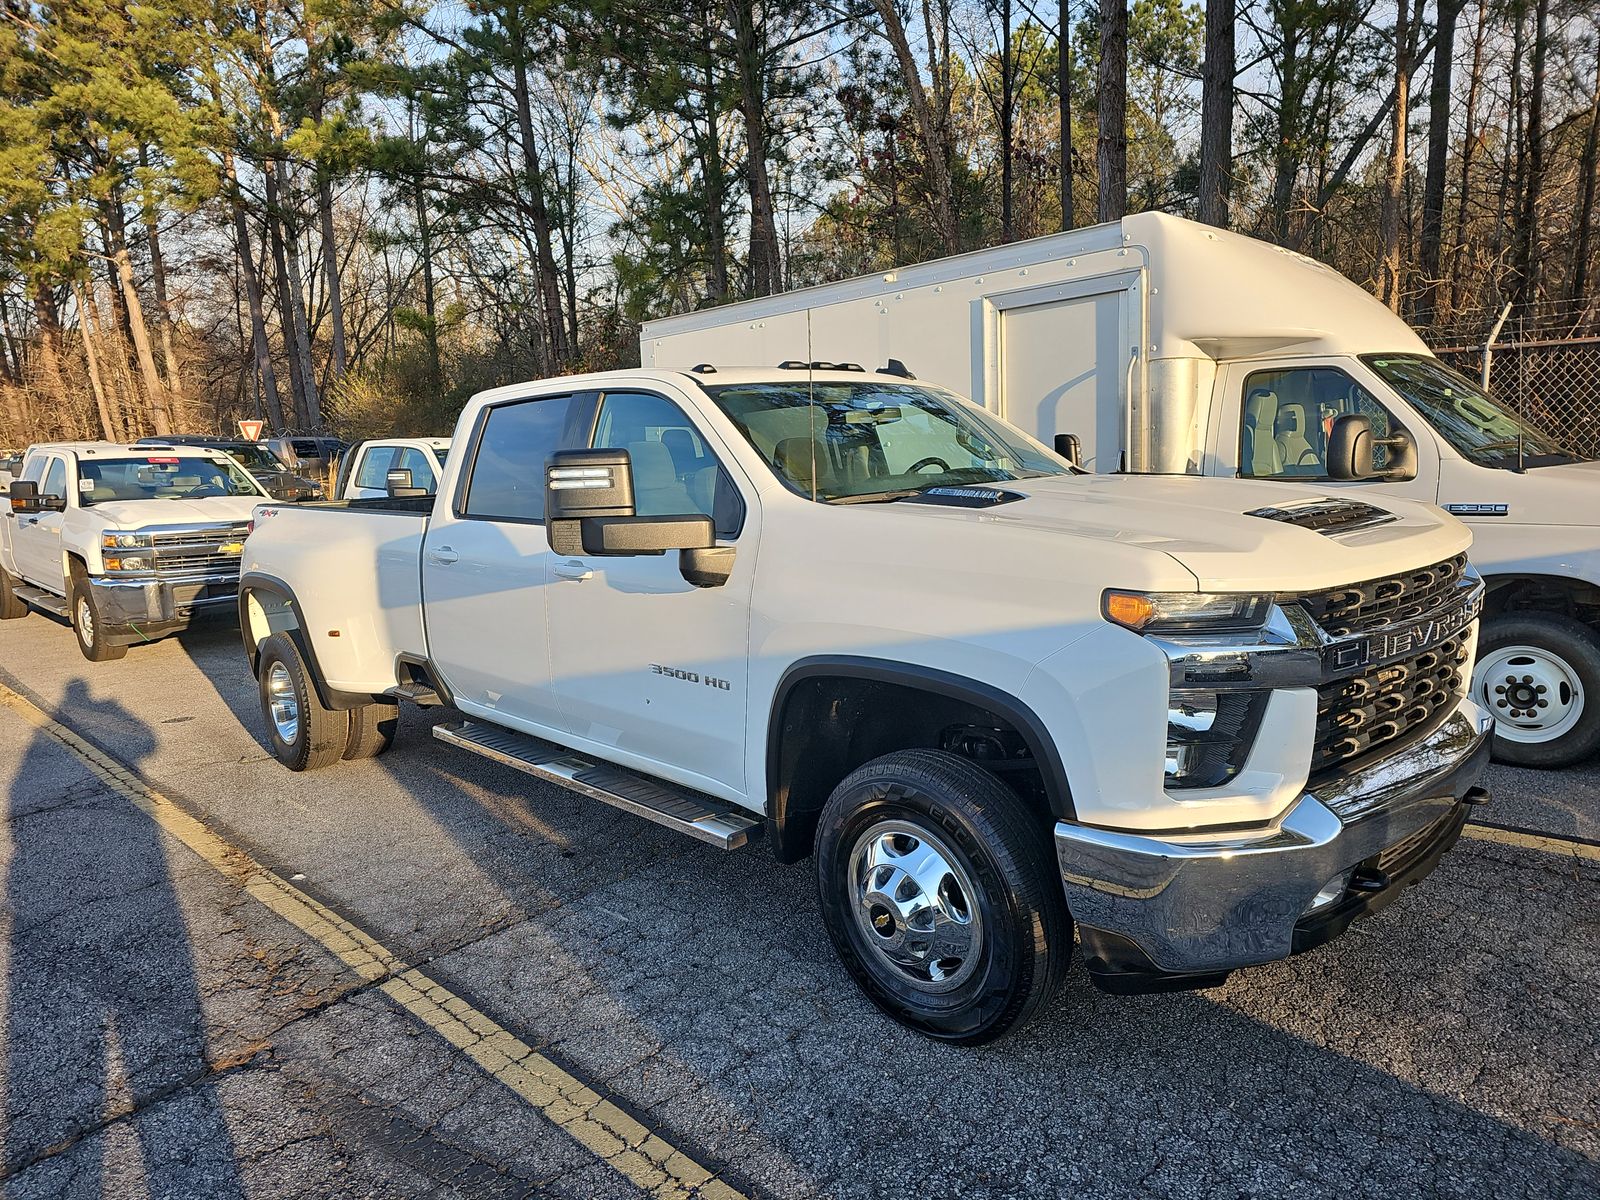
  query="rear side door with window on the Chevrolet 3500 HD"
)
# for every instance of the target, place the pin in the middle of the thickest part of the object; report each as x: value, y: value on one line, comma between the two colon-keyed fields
x: 486, y: 564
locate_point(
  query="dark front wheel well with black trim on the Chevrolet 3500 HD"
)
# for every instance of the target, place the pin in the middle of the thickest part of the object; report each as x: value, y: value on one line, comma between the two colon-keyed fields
x: 826, y: 726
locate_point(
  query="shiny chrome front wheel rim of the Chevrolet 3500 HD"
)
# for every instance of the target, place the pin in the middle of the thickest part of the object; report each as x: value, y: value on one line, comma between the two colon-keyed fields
x: 916, y: 906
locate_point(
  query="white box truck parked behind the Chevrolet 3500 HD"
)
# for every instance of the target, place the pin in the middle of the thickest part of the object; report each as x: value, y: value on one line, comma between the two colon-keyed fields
x: 1172, y: 348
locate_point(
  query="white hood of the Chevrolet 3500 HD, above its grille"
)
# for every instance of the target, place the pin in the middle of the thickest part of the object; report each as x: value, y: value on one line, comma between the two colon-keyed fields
x: 1207, y: 526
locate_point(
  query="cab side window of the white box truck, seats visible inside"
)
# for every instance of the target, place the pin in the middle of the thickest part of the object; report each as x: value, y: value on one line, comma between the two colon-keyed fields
x: 1287, y: 415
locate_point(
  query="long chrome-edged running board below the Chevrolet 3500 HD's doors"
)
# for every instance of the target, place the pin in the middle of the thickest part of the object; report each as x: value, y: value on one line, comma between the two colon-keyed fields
x: 700, y: 817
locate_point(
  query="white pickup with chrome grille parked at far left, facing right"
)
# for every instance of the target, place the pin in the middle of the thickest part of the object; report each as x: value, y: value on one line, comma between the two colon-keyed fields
x: 129, y: 543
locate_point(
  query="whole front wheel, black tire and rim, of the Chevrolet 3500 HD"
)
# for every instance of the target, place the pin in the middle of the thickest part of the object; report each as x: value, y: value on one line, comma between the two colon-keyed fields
x: 1023, y: 932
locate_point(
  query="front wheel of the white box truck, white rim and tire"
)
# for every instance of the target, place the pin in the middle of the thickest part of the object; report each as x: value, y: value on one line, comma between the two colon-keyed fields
x: 1540, y: 676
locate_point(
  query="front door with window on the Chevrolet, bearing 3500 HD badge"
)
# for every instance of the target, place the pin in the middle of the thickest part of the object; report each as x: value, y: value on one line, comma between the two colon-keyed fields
x: 650, y: 670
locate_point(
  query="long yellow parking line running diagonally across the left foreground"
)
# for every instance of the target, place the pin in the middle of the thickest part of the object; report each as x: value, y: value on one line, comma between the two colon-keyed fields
x: 642, y: 1158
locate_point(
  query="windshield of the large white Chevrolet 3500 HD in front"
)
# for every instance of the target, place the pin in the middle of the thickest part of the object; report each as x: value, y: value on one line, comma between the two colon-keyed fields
x: 874, y: 439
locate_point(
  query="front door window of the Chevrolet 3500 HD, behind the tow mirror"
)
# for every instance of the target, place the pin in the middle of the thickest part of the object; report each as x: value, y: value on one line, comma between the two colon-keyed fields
x: 674, y: 471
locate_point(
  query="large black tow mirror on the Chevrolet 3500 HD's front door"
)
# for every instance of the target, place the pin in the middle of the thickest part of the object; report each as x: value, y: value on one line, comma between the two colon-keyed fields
x: 590, y: 511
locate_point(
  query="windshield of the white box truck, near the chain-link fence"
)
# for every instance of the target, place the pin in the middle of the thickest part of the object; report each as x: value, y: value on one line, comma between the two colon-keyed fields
x: 1465, y: 417
